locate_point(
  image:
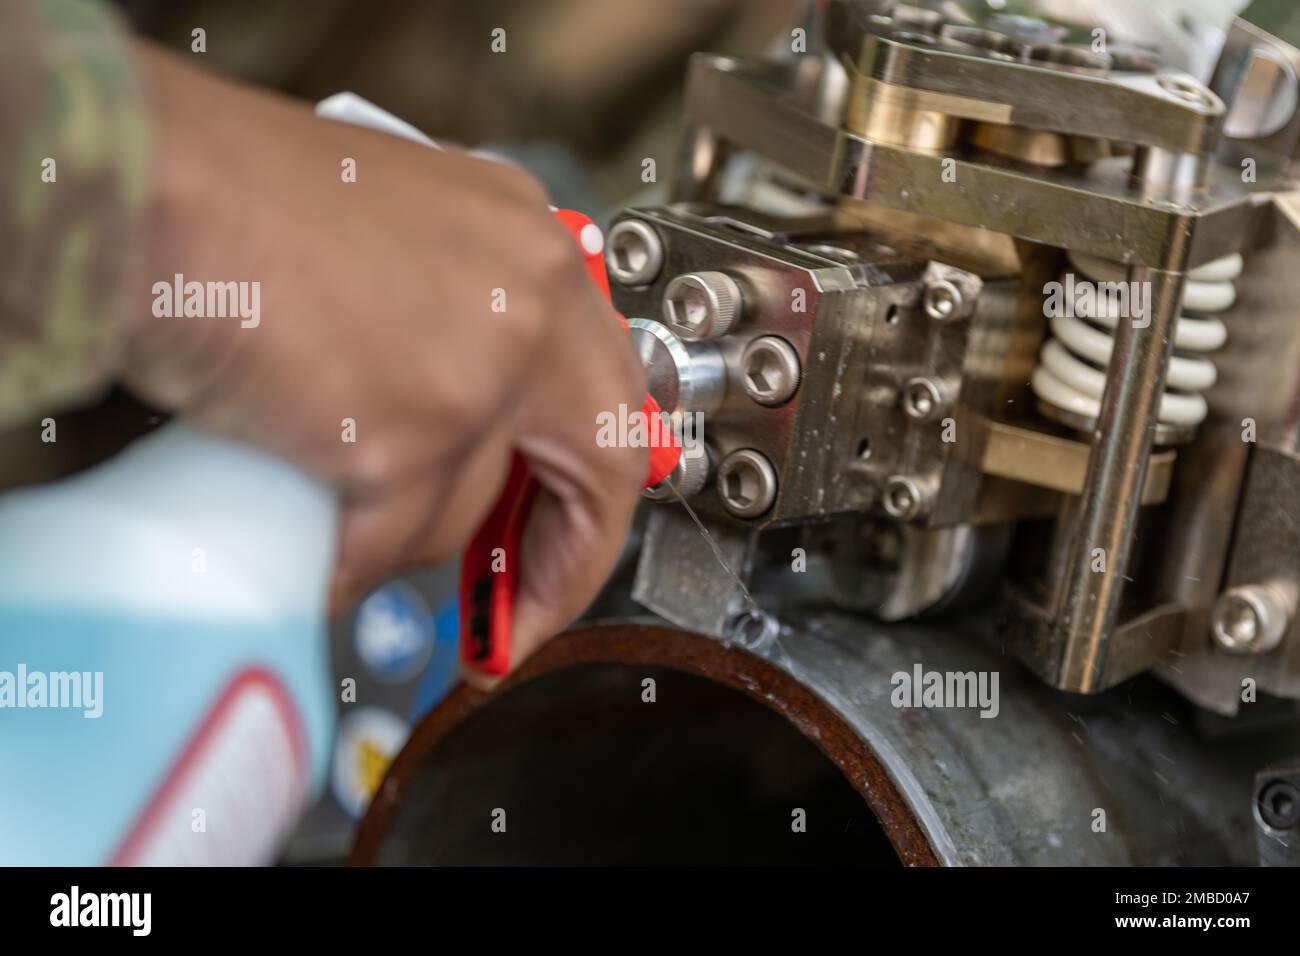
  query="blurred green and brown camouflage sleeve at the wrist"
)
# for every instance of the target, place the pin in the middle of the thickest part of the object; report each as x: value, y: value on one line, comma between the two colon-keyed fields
x: 73, y: 184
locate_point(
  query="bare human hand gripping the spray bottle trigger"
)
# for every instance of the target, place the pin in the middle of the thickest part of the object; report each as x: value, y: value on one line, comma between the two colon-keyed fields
x: 378, y: 306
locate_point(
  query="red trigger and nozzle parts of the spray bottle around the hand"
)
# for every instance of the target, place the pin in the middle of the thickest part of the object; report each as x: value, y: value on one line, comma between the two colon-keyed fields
x: 489, y: 572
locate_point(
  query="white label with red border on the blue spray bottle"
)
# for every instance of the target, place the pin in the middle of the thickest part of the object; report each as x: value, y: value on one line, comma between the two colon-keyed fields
x: 237, y: 789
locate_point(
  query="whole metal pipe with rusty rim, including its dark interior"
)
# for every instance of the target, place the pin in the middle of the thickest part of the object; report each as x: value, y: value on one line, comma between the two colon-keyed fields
x: 573, y: 736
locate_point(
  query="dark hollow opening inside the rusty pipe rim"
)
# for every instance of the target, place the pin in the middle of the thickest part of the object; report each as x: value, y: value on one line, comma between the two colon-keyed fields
x: 587, y: 772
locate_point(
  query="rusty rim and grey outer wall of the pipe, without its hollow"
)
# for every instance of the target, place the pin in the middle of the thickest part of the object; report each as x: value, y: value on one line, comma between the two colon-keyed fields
x: 947, y: 786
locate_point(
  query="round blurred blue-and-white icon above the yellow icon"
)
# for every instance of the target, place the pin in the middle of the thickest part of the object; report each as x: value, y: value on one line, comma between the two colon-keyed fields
x: 395, y: 633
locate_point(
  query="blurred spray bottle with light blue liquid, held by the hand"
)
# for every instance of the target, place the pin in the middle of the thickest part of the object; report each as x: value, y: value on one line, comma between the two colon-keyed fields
x: 164, y: 673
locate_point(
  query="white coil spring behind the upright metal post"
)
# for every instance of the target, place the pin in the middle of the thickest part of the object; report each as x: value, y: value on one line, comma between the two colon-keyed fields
x: 1072, y: 367
